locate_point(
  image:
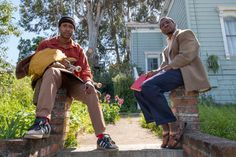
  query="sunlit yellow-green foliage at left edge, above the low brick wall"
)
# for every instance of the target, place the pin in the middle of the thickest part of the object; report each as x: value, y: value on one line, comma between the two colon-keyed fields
x: 16, y: 109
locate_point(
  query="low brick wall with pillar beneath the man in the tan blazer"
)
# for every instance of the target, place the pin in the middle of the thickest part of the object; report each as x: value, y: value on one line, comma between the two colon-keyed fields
x: 195, y: 143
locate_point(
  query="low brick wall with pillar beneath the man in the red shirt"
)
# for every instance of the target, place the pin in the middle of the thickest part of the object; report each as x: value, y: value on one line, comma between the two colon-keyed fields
x: 43, y: 147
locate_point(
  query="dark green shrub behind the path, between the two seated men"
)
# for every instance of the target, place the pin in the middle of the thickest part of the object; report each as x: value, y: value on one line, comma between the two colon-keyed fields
x: 122, y: 85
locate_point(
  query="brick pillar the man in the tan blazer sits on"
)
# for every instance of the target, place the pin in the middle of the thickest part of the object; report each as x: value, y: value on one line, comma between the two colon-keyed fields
x: 184, y: 106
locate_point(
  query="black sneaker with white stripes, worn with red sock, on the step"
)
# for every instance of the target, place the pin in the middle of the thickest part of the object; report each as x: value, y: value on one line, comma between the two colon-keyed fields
x: 106, y: 143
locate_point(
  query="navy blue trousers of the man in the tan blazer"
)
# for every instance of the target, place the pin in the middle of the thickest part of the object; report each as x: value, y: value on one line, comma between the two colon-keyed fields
x: 152, y: 100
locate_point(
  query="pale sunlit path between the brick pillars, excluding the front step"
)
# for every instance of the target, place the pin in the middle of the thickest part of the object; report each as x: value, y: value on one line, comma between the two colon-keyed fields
x: 127, y: 131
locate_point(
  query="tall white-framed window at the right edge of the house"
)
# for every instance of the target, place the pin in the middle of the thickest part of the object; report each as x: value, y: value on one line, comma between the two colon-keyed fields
x: 228, y: 26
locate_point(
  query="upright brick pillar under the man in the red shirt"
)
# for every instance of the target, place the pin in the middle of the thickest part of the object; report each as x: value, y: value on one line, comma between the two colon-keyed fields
x: 61, y: 115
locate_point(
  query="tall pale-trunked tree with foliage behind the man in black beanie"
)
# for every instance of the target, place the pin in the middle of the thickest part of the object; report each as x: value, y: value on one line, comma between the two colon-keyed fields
x: 38, y: 15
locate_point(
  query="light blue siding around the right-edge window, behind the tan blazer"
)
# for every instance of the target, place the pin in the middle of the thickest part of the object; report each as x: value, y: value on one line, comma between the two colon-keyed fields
x: 205, y: 22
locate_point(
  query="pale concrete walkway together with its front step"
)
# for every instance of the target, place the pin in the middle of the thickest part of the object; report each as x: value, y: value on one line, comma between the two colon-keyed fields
x: 132, y: 139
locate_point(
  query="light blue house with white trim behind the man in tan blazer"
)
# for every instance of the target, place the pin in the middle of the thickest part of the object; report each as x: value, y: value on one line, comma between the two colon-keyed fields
x: 213, y: 22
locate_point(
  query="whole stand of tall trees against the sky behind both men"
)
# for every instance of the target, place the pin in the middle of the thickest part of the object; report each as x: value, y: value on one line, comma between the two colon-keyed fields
x: 90, y: 15
